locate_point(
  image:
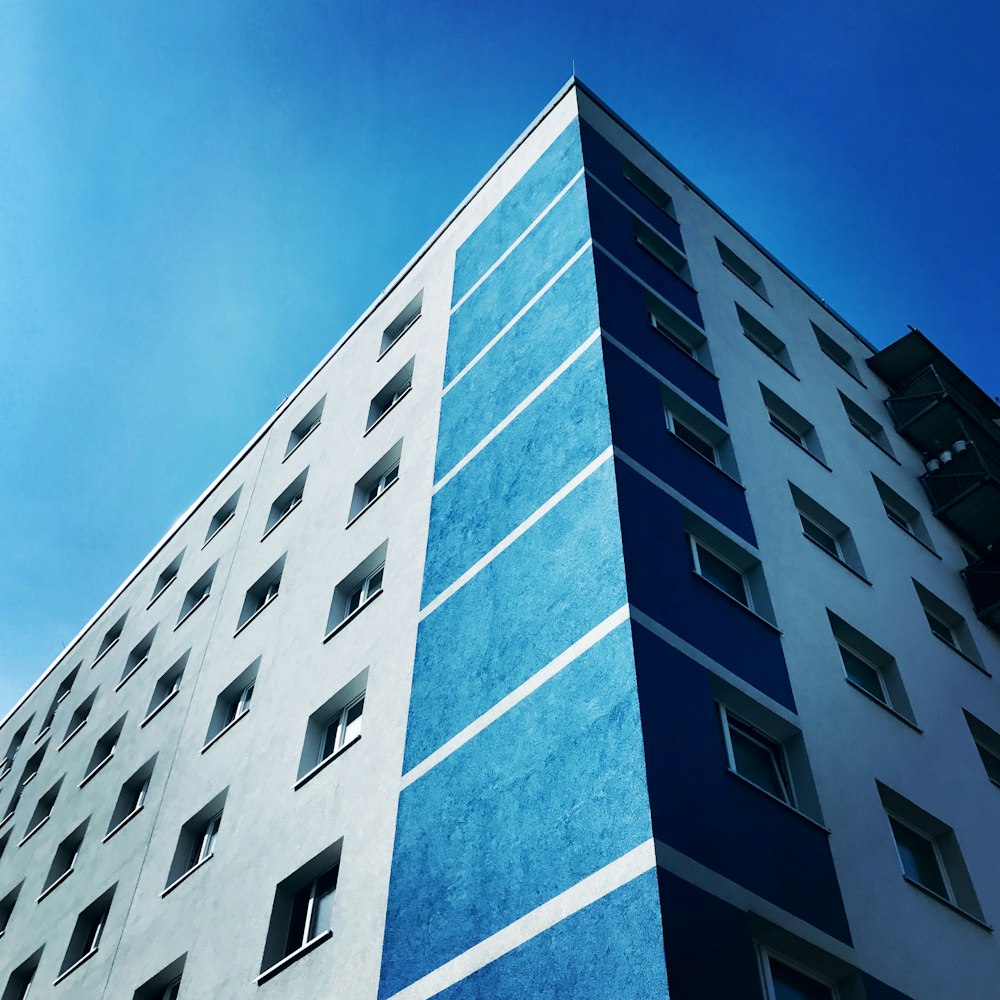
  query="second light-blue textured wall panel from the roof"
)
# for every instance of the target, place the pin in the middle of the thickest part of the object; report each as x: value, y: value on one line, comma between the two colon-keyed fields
x: 518, y: 279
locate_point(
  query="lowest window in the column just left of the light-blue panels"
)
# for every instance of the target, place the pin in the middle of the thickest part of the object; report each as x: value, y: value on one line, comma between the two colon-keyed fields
x: 302, y: 914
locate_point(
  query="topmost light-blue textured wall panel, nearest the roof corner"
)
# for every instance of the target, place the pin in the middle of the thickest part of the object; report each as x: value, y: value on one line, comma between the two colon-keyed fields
x: 553, y: 170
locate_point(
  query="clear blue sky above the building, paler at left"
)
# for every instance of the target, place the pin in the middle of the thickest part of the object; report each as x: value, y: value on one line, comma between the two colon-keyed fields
x: 198, y: 198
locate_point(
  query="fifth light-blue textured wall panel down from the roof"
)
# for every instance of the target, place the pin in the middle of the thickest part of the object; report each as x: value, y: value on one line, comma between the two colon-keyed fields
x: 561, y: 578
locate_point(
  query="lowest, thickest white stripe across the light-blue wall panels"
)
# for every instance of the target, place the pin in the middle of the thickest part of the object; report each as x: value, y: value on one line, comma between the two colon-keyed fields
x: 604, y: 881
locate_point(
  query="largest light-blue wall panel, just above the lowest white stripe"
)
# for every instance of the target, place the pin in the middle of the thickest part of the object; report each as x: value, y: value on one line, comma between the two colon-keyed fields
x: 551, y: 792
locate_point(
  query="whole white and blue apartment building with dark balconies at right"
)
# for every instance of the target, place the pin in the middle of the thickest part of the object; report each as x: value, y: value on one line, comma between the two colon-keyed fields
x: 585, y: 625
